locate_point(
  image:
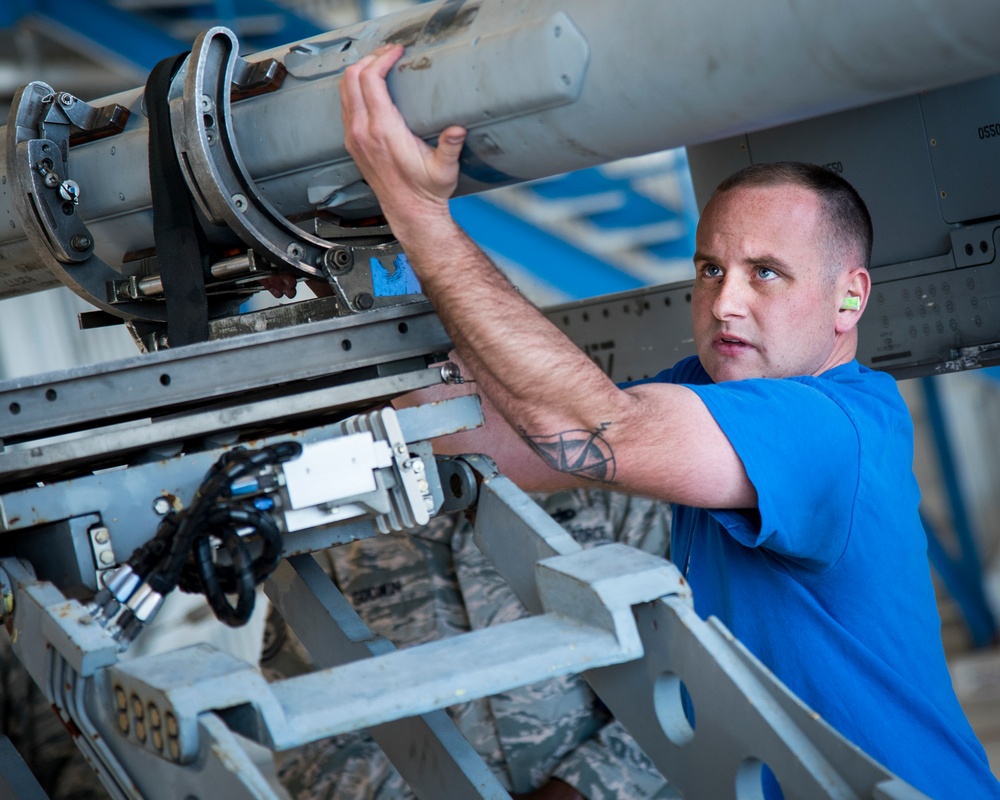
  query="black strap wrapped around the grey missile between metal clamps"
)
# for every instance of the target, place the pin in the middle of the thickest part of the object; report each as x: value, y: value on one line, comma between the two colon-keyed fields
x: 181, y: 250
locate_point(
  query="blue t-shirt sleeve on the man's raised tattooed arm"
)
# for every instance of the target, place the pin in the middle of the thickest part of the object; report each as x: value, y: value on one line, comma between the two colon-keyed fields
x: 801, y: 451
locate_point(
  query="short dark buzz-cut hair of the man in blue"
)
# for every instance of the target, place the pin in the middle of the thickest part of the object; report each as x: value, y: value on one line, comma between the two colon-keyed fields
x: 848, y: 222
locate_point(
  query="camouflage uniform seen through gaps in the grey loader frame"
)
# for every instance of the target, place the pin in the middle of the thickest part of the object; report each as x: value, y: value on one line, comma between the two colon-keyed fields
x: 433, y: 583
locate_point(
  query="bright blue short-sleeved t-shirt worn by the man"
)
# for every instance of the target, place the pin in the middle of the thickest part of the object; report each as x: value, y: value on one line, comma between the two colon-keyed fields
x: 827, y: 582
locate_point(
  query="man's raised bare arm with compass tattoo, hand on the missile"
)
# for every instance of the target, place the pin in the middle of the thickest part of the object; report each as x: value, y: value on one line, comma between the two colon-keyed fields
x: 656, y: 440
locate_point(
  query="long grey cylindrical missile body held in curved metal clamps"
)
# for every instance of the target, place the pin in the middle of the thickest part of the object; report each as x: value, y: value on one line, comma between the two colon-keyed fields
x: 545, y: 87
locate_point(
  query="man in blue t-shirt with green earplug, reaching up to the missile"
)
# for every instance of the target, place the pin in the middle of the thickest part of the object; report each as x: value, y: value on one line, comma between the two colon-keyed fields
x: 789, y: 463
